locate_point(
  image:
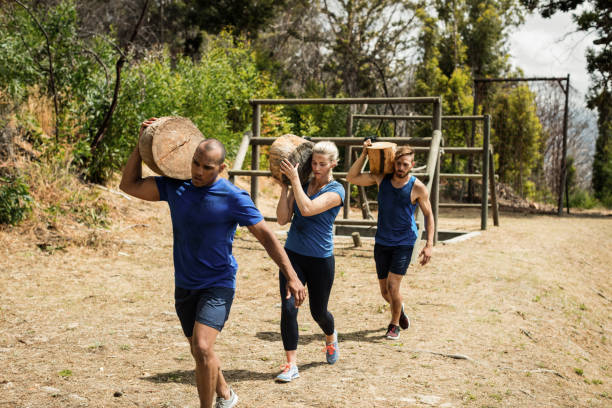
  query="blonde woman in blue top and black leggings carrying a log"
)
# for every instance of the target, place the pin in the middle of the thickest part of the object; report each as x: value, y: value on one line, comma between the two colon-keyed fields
x: 310, y: 245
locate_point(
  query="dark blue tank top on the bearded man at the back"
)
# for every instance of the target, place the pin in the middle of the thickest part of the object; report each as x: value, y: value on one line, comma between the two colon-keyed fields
x: 396, y: 224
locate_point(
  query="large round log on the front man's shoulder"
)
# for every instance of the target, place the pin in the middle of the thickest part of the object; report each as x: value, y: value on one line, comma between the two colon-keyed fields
x: 168, y: 144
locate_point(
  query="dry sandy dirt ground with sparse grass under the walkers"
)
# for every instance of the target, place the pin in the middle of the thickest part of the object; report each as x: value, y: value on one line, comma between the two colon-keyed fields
x: 527, y: 308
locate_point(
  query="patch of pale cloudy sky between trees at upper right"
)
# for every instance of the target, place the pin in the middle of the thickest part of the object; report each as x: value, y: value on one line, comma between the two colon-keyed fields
x: 546, y: 47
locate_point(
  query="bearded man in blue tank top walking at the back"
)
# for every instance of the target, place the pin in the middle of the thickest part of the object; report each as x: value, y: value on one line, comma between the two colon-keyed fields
x: 396, y: 234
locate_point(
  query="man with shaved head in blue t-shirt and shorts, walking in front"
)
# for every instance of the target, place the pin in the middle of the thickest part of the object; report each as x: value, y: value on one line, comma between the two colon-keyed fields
x: 205, y: 212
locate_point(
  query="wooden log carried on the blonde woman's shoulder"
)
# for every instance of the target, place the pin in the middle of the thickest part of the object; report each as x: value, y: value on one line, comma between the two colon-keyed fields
x: 296, y: 150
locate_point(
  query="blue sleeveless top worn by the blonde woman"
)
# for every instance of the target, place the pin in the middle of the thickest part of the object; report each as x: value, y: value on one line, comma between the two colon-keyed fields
x: 314, y: 235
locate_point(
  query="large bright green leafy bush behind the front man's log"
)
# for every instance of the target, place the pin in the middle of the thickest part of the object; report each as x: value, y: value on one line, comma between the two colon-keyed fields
x: 213, y: 92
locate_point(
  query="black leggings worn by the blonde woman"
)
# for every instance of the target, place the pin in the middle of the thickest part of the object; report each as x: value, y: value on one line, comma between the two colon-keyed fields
x: 318, y: 275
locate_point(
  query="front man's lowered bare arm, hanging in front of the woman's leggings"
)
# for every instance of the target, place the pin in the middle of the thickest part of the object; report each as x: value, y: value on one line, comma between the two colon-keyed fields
x: 268, y: 240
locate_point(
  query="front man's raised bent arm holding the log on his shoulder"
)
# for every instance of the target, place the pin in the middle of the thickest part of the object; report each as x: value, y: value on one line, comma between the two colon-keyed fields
x: 131, y: 180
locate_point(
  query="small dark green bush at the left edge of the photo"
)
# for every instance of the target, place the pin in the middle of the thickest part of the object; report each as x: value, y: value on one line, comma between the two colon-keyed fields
x: 15, y: 200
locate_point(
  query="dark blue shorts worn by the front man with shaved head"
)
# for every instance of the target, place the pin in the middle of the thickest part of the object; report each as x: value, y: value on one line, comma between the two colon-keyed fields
x: 209, y: 306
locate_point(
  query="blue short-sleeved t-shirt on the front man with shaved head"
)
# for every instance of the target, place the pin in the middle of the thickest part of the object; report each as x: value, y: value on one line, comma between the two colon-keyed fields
x: 204, y: 221
